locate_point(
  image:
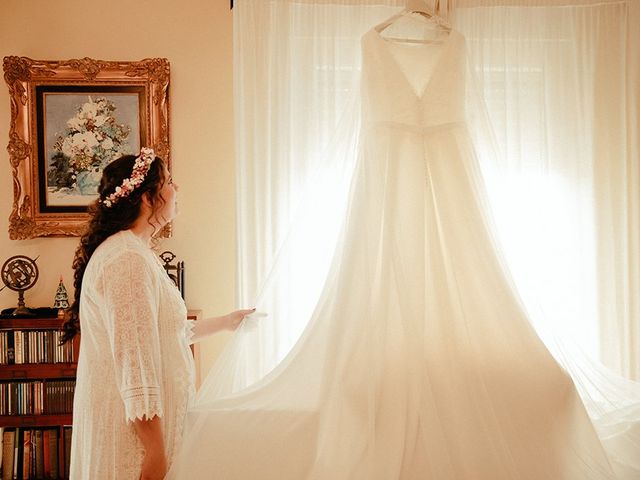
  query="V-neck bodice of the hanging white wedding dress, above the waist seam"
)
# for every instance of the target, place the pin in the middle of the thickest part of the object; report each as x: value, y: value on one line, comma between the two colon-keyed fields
x: 392, y: 94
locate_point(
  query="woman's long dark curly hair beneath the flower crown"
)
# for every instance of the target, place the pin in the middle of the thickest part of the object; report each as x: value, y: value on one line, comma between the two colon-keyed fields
x: 107, y: 221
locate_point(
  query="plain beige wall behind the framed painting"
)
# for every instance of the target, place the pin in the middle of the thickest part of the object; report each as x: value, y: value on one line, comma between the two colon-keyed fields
x: 196, y: 37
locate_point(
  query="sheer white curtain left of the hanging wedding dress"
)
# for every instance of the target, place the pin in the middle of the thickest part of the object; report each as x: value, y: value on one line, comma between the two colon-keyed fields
x: 296, y: 71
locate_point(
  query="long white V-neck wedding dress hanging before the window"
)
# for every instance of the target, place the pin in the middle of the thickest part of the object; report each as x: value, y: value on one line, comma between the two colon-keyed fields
x: 418, y: 361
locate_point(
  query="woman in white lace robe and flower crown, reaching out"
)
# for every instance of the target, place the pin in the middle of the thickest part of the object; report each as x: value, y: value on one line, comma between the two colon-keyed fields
x: 135, y: 371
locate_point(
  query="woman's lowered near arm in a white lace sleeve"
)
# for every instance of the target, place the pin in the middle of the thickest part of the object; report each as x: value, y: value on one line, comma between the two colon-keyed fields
x: 131, y: 309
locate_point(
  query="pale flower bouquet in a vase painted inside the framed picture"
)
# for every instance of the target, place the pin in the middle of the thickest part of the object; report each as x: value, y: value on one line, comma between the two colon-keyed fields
x: 92, y: 138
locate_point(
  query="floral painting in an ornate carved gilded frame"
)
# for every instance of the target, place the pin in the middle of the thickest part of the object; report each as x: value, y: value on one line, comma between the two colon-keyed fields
x: 70, y: 119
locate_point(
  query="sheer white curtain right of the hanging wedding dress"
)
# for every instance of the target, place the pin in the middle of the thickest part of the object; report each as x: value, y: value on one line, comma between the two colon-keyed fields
x: 558, y: 82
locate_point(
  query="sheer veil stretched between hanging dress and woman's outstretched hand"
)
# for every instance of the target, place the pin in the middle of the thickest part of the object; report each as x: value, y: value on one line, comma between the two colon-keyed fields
x: 312, y: 234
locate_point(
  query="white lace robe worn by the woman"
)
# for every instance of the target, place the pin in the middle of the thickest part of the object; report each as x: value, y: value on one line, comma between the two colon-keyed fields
x: 134, y: 360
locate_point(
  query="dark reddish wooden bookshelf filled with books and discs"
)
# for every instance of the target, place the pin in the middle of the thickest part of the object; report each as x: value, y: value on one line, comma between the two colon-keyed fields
x: 37, y: 379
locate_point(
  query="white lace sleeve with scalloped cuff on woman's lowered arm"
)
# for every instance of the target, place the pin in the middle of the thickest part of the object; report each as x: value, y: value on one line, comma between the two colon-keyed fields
x: 131, y: 303
